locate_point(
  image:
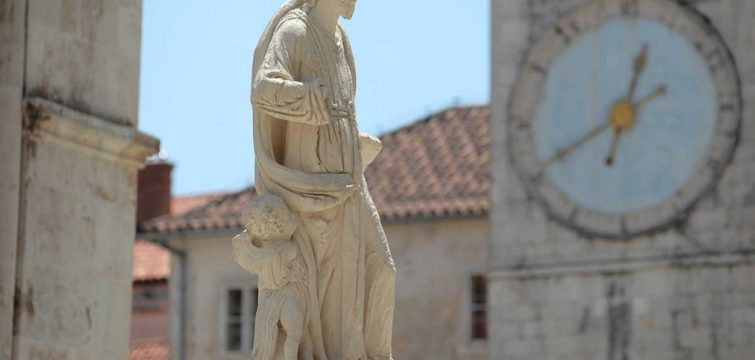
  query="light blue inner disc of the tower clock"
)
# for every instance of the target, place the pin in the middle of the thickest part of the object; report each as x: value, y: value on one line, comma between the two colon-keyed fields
x: 668, y: 136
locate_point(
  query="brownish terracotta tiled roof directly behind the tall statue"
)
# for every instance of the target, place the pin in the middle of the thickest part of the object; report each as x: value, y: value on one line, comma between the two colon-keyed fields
x: 436, y: 167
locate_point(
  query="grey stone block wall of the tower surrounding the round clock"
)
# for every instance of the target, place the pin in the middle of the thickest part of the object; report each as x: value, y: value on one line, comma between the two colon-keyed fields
x: 555, y: 294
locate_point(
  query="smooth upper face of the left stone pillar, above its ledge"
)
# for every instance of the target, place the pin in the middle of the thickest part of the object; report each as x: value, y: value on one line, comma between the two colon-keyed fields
x: 85, y: 54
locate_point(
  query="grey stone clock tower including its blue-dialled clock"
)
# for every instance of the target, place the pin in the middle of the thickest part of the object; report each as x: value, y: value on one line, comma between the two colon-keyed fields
x: 623, y: 201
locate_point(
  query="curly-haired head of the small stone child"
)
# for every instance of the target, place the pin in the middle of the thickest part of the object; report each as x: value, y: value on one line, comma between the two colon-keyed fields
x: 267, y: 218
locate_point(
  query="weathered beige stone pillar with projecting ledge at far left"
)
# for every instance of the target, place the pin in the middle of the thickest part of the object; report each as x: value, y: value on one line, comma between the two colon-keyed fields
x: 69, y: 82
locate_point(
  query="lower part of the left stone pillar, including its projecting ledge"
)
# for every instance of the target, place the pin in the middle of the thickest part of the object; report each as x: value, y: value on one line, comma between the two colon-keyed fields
x: 74, y: 272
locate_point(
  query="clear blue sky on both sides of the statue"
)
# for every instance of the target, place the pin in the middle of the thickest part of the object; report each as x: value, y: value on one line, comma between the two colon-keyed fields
x: 413, y: 57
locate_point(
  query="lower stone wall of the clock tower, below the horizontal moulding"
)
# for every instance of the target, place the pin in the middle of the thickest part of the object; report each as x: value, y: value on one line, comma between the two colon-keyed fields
x: 704, y: 311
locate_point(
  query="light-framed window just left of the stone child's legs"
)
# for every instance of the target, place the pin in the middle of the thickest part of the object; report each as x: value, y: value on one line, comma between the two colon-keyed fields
x: 240, y: 307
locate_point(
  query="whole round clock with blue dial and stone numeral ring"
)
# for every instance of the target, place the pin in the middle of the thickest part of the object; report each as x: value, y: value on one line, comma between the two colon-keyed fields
x: 624, y: 115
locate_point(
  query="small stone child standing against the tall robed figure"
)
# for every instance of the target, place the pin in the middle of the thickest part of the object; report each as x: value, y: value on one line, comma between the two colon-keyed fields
x: 266, y: 248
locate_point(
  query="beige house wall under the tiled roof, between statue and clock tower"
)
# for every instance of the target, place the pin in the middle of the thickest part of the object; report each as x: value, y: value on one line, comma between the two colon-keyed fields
x: 435, y: 262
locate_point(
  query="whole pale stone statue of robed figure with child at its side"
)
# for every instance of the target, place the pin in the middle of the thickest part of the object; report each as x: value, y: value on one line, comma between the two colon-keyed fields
x: 310, y: 154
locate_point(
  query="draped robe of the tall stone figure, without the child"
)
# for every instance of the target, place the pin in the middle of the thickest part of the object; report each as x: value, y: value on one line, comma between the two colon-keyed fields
x: 308, y: 152
